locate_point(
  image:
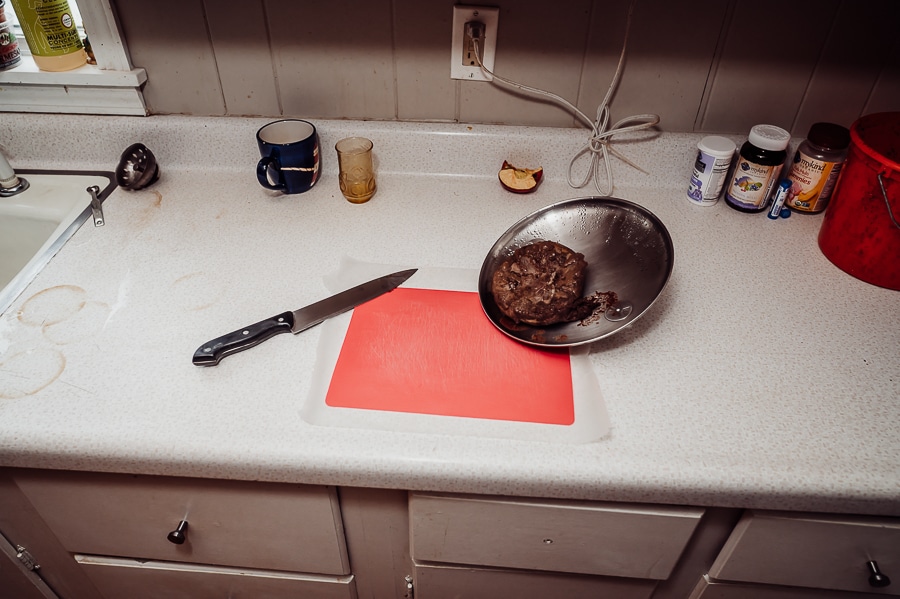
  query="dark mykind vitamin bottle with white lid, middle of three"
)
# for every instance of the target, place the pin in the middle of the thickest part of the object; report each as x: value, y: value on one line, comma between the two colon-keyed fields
x: 758, y: 168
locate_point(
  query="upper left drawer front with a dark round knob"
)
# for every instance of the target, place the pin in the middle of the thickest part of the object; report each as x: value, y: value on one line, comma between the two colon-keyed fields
x: 253, y: 525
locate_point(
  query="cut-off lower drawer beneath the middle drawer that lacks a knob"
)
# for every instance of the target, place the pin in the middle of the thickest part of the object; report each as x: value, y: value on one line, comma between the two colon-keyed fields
x: 453, y: 582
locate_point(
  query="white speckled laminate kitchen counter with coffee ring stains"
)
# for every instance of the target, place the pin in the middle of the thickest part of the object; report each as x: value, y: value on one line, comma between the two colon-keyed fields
x: 764, y: 377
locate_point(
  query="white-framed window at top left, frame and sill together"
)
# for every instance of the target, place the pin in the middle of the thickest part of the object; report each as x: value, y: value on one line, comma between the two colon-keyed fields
x: 113, y: 86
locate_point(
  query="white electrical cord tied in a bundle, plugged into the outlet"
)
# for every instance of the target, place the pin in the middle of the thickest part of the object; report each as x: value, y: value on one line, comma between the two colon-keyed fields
x: 599, y: 144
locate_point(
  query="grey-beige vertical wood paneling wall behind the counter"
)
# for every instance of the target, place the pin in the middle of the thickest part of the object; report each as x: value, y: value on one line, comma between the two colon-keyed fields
x: 702, y: 65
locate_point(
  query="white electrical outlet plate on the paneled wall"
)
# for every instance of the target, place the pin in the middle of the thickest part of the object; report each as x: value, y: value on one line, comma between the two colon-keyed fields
x: 462, y: 61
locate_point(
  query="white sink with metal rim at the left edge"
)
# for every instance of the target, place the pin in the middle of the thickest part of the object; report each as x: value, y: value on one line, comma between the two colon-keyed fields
x: 36, y: 223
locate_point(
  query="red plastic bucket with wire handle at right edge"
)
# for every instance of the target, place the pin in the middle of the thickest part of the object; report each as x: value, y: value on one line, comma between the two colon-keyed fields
x: 860, y: 233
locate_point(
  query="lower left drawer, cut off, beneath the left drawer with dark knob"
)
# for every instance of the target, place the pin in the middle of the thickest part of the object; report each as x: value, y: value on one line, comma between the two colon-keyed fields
x: 127, y: 579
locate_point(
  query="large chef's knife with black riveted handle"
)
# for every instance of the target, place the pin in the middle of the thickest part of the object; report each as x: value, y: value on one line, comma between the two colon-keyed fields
x: 211, y: 352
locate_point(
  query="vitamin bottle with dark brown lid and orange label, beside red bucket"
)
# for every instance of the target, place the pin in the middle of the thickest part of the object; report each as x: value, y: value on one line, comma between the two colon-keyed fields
x: 816, y: 166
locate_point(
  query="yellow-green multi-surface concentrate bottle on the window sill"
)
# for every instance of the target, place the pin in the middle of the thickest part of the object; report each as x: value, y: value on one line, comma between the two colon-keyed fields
x: 51, y: 34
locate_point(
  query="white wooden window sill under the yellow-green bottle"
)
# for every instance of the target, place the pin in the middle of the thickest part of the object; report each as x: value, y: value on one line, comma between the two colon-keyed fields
x: 85, y: 90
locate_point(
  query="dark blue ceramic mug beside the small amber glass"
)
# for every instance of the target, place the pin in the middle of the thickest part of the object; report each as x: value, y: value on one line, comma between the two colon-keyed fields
x: 290, y: 156
